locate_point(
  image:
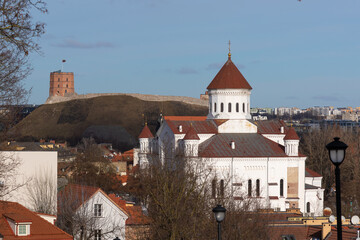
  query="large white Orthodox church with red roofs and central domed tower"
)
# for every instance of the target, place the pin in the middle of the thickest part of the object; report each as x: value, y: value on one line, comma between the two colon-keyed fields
x: 261, y: 158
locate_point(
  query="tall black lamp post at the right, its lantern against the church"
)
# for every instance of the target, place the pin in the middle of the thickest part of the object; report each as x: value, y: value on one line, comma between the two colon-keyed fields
x: 337, y: 155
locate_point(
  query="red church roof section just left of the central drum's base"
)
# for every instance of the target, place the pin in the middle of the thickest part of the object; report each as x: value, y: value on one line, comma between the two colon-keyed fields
x: 200, y: 125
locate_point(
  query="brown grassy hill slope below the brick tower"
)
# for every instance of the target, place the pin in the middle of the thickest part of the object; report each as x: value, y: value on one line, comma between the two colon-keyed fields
x: 117, y: 119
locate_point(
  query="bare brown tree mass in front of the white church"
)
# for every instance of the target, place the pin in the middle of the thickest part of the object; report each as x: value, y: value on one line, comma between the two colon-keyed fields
x: 180, y: 199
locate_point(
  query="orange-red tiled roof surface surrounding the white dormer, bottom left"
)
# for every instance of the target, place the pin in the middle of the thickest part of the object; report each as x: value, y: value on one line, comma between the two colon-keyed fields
x: 39, y: 228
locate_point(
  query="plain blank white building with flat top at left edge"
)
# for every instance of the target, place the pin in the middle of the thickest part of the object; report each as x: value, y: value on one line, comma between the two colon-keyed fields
x: 27, y: 171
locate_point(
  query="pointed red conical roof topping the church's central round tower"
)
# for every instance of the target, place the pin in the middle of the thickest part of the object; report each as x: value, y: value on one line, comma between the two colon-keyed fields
x: 229, y: 76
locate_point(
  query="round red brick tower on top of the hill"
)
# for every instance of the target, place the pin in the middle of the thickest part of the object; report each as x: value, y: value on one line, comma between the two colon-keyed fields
x: 61, y: 83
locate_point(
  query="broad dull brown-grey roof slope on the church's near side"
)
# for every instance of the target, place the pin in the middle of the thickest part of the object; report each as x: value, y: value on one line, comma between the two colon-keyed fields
x: 246, y: 145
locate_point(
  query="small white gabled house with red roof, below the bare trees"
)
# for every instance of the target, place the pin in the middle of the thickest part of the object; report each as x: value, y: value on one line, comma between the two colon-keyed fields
x: 89, y: 213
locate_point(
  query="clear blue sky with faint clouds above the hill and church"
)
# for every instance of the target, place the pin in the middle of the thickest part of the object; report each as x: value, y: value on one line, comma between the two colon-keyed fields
x: 293, y: 53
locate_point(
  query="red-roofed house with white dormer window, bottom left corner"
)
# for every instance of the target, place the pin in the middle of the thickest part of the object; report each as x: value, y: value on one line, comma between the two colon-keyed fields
x: 18, y: 222
